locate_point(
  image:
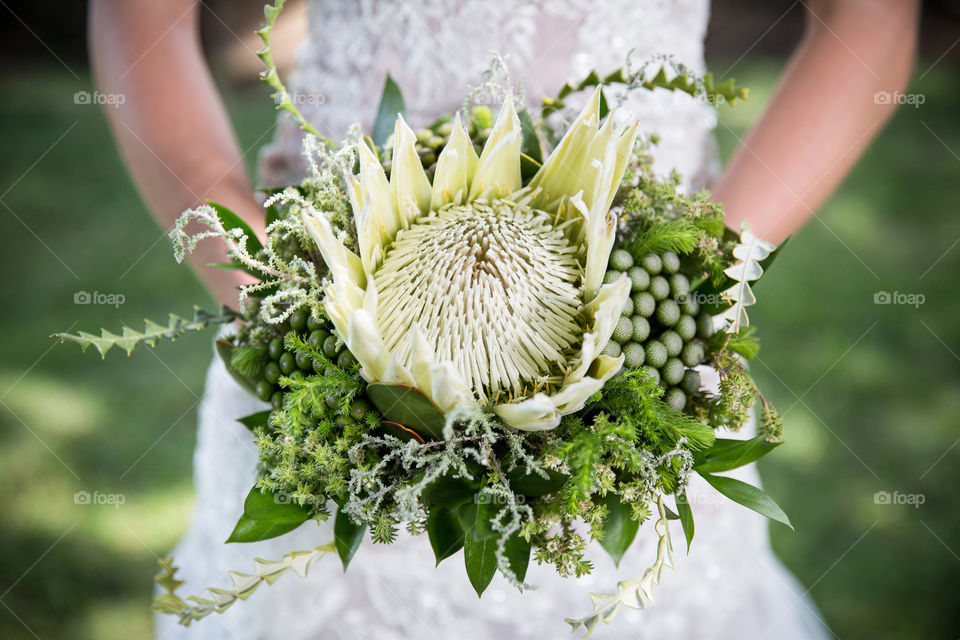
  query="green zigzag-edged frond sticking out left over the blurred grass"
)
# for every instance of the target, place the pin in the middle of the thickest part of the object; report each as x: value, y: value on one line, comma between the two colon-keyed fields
x: 153, y: 332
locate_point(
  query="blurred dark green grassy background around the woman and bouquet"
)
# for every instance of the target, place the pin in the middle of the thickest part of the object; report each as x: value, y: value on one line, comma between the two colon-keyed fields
x: 870, y: 392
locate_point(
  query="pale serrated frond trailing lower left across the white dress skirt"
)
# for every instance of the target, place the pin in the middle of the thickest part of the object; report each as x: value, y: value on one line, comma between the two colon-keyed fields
x: 244, y: 584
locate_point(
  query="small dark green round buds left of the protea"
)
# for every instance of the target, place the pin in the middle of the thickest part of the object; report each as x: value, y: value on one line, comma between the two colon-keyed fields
x: 283, y: 362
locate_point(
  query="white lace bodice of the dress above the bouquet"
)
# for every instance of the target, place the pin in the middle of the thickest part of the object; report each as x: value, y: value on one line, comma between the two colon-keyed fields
x: 435, y: 49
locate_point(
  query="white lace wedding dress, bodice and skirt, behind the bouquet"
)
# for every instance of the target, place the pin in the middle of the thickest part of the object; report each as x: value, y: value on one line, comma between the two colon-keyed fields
x: 729, y: 586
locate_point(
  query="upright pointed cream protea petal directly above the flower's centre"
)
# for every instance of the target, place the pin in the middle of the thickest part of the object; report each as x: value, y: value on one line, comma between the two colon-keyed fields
x: 498, y: 170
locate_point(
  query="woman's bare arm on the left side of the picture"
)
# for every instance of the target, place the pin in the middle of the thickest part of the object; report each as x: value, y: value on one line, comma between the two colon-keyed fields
x: 172, y: 129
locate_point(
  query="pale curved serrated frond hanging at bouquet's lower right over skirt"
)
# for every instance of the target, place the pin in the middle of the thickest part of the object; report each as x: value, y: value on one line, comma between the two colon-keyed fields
x: 636, y: 594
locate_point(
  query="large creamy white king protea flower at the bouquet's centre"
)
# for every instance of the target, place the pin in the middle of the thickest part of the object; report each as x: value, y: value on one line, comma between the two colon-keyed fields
x: 476, y: 289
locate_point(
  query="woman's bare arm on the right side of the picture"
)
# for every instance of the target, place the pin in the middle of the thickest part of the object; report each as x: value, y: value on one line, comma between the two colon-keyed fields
x: 823, y: 114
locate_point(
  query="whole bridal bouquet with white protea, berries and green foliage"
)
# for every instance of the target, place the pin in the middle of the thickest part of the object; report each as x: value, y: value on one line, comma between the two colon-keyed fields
x: 464, y: 334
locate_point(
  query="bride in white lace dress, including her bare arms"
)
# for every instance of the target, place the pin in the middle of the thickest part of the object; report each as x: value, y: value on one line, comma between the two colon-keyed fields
x: 177, y: 141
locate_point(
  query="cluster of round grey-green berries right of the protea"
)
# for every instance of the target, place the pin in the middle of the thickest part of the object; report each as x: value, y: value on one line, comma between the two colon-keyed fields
x: 661, y: 327
